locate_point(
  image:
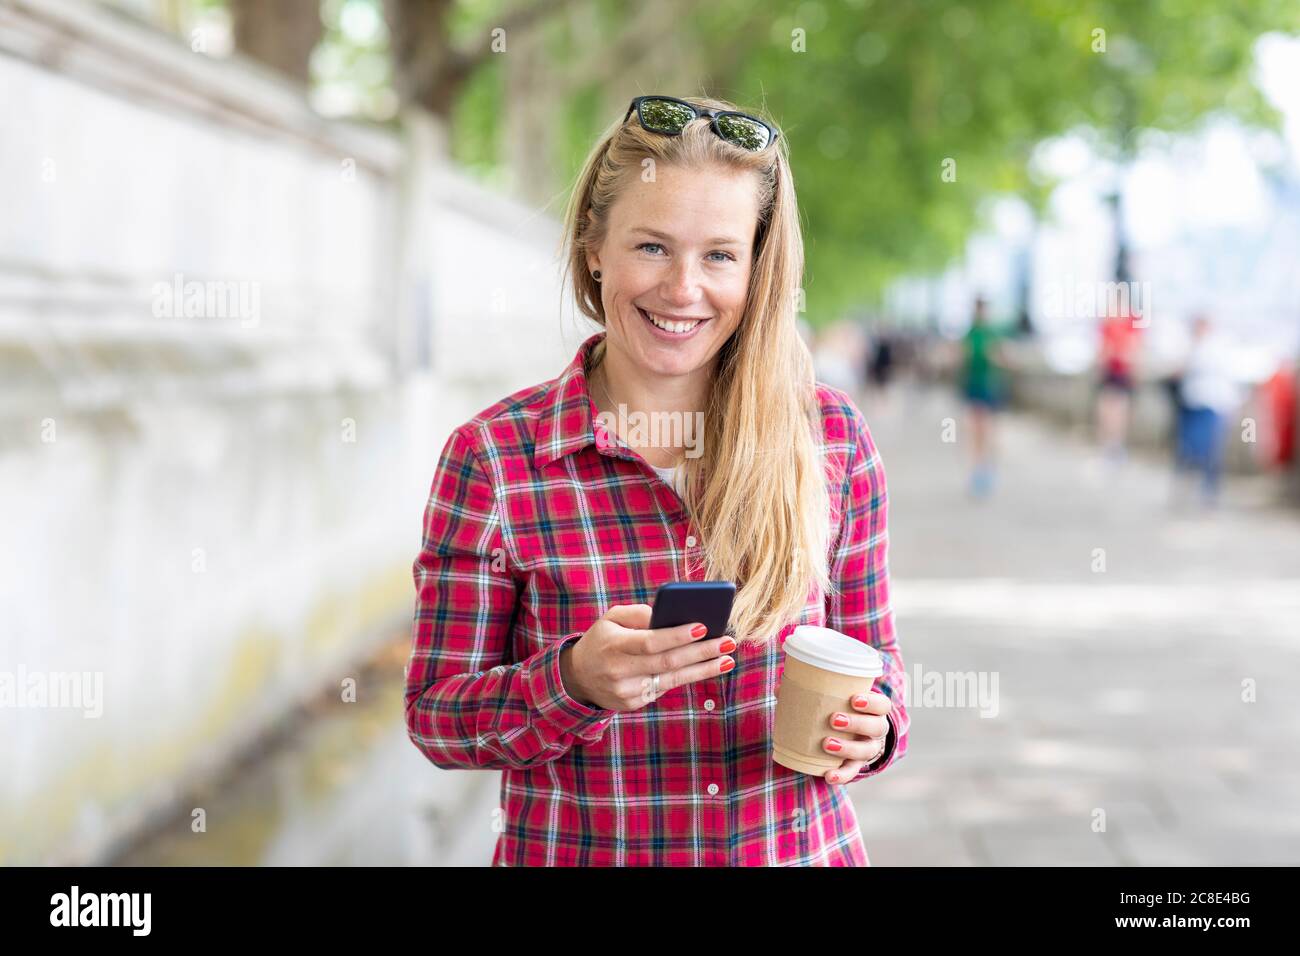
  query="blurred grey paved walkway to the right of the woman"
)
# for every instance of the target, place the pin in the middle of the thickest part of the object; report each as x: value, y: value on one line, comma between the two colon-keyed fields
x: 1120, y: 633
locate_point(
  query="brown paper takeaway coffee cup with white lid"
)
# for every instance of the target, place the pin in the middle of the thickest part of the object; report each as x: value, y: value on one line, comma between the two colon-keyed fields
x: 824, y: 671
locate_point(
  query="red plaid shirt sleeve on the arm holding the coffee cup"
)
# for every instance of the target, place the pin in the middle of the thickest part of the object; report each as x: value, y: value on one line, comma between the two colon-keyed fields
x: 860, y: 570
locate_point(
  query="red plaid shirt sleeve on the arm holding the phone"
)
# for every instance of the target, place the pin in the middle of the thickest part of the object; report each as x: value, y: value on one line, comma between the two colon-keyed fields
x: 467, y: 704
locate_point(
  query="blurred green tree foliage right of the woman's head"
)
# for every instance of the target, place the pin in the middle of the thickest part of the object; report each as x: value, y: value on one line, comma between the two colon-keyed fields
x: 908, y: 85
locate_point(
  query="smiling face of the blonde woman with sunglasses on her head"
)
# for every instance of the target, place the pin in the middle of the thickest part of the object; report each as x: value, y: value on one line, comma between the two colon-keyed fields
x: 675, y: 267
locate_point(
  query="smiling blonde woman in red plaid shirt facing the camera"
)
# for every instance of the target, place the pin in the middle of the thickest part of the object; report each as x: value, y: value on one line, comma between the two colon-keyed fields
x: 548, y: 531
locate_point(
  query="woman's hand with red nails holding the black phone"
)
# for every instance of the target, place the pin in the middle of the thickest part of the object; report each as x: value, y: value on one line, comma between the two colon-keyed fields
x: 614, y: 664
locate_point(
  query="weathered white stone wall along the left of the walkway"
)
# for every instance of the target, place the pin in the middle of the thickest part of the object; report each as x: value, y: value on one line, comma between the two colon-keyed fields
x: 214, y: 513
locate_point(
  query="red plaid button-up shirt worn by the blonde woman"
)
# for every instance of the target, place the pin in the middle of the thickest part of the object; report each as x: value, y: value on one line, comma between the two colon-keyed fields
x: 535, y: 527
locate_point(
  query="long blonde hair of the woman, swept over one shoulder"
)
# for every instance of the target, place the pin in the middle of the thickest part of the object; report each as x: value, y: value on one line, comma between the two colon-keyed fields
x: 759, y: 494
